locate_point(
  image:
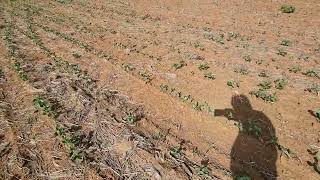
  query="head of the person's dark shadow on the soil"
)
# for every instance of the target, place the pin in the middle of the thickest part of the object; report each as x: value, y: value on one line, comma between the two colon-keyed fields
x: 241, y: 103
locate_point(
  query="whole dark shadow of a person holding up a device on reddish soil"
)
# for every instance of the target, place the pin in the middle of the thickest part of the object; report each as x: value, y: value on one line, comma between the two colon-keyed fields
x: 254, y: 152
